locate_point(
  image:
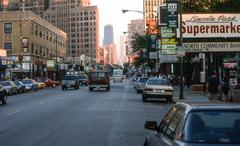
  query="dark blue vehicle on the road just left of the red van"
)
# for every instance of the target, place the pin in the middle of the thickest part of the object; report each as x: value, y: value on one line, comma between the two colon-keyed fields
x: 70, y: 81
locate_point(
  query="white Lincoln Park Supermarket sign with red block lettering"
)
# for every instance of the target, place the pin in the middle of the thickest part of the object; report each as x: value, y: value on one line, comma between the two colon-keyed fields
x: 211, y: 25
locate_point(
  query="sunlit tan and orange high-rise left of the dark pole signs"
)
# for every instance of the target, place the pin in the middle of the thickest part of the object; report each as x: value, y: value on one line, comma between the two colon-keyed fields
x: 150, y: 12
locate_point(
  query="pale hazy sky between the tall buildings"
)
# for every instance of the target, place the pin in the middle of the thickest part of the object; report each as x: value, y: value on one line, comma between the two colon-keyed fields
x: 110, y: 12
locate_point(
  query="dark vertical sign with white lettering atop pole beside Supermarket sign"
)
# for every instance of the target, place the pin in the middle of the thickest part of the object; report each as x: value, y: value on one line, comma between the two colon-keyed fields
x: 172, y: 15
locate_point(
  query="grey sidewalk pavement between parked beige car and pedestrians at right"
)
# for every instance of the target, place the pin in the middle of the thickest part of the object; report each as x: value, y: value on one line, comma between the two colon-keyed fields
x: 189, y: 95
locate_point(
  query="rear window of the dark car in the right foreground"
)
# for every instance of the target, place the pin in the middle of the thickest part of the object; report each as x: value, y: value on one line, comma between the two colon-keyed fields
x: 216, y: 126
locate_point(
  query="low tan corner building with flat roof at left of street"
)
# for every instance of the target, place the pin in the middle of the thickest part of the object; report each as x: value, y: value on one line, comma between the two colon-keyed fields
x: 45, y: 41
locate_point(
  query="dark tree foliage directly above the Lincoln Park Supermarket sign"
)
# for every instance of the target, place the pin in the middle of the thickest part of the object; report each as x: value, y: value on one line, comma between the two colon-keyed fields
x: 220, y: 6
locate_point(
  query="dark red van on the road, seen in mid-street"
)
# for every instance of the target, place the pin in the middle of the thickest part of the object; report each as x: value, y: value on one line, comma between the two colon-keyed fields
x: 98, y: 79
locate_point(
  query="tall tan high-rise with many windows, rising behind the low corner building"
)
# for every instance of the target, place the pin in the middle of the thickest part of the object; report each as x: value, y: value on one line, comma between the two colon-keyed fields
x: 80, y: 21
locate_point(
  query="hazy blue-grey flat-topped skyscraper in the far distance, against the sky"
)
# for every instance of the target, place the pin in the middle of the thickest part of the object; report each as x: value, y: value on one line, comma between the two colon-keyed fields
x: 108, y: 35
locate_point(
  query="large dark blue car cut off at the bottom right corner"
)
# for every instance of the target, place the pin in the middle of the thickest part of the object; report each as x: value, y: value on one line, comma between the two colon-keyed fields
x: 201, y: 124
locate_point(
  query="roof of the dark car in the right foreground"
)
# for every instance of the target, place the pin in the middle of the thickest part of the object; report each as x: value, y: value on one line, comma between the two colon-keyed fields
x: 190, y: 106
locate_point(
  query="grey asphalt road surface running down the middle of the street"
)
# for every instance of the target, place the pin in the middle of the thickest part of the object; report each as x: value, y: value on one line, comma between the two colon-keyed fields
x: 51, y: 117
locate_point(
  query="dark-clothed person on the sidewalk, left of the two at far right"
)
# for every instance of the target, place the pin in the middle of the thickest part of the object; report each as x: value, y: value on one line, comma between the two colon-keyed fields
x: 213, y: 86
